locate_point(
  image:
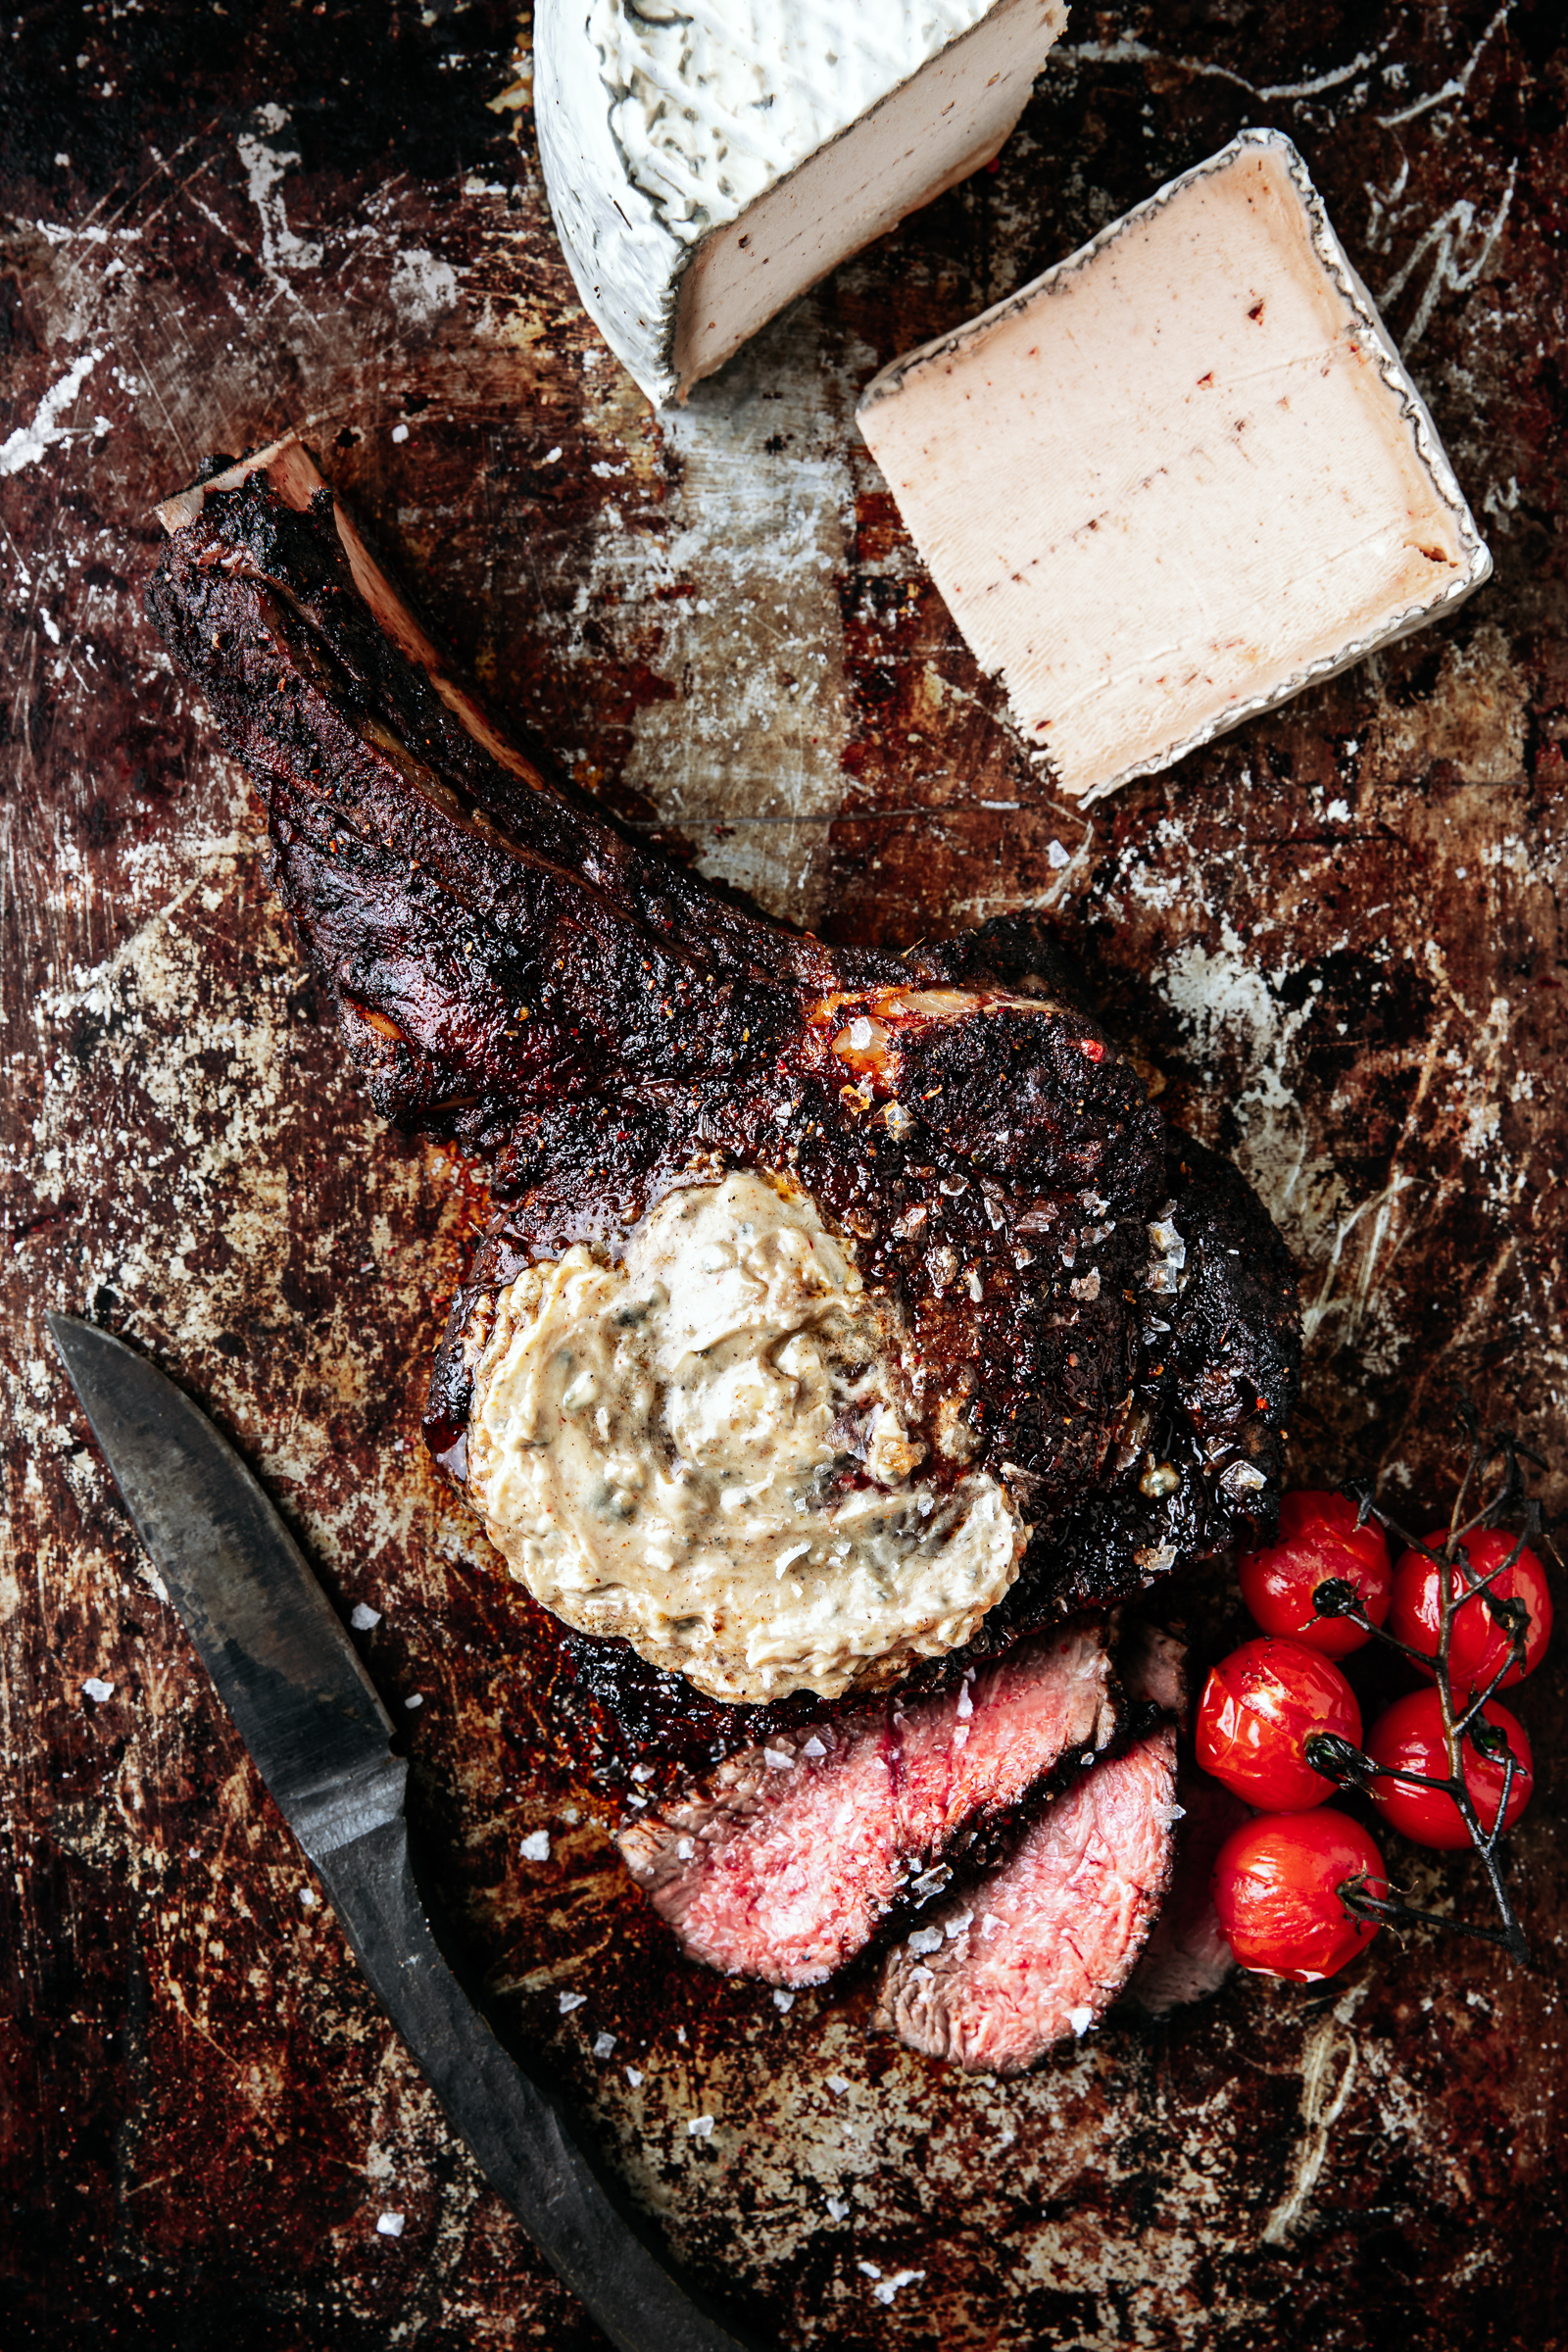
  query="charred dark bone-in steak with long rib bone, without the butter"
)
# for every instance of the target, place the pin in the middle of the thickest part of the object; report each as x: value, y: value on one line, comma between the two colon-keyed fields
x: 601, y: 1024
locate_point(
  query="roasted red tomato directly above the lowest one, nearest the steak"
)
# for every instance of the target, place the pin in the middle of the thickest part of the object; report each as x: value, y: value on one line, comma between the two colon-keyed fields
x: 1259, y: 1709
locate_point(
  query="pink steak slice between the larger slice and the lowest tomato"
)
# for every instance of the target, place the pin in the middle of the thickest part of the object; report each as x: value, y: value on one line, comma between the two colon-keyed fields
x: 1036, y: 1951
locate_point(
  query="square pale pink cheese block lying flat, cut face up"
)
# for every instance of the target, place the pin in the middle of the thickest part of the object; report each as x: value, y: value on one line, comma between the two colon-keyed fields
x: 1177, y: 479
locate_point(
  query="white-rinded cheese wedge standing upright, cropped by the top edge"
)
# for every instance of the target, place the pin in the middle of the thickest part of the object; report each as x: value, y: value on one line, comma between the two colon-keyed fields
x: 711, y: 163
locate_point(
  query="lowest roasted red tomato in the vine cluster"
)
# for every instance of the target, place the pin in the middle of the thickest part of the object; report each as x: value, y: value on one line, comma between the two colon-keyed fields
x: 1278, y: 1892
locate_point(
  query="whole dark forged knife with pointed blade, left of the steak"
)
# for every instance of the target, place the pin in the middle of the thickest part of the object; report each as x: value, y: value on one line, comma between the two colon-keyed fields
x: 321, y: 1739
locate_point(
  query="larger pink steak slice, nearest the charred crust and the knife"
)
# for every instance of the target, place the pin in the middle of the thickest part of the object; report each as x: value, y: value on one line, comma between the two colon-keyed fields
x: 784, y: 1862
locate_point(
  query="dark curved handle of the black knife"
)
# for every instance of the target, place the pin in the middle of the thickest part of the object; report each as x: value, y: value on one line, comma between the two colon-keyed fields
x: 516, y: 2130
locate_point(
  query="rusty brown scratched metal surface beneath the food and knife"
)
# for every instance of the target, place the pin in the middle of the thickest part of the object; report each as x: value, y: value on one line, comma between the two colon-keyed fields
x: 1336, y: 937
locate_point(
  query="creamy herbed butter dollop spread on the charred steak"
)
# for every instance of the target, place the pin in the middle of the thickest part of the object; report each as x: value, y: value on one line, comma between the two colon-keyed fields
x: 704, y: 1450
